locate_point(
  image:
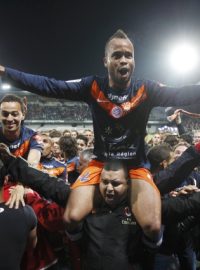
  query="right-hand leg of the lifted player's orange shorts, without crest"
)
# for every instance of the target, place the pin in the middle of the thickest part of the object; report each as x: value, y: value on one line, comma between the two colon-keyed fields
x: 142, y: 174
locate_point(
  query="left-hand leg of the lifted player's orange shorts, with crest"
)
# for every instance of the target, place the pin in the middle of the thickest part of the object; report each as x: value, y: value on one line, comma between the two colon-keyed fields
x: 90, y: 176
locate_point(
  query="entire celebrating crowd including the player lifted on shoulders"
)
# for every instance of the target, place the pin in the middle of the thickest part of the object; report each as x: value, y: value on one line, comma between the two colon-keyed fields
x: 107, y: 198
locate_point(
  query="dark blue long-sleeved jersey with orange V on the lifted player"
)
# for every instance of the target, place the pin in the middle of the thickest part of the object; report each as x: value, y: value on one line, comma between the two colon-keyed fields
x: 119, y: 116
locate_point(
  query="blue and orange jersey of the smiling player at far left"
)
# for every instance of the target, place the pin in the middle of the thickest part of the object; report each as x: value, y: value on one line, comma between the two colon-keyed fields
x: 28, y: 139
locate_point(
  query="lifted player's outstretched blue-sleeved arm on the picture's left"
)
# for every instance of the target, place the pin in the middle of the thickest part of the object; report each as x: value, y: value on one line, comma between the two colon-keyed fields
x: 44, y: 86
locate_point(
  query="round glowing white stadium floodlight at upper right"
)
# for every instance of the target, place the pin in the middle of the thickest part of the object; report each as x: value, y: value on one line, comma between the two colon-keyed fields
x: 184, y: 58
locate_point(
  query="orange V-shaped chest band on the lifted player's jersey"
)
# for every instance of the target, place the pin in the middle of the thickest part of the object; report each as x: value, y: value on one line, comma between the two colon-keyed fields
x: 125, y: 107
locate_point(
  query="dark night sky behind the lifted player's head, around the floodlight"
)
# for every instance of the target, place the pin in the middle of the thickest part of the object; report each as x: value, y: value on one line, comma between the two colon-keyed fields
x: 65, y: 39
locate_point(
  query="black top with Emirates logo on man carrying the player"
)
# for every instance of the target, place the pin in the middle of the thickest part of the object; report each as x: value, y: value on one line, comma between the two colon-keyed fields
x: 110, y: 238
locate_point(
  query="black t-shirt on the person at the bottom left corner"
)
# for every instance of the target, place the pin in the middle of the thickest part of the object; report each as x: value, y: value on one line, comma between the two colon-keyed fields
x: 15, y: 226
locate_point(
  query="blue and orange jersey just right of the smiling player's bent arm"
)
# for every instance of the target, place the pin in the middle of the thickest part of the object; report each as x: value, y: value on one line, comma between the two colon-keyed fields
x: 53, y: 167
